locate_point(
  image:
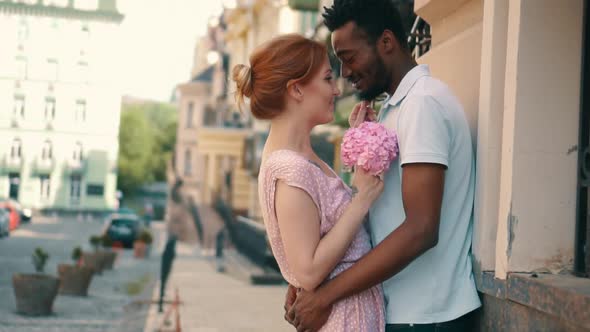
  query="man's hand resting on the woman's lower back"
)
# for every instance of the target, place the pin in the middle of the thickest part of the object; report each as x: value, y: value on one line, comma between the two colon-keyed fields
x: 309, y: 311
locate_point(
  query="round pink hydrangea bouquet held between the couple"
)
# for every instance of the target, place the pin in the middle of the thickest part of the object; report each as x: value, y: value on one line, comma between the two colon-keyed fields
x: 370, y: 146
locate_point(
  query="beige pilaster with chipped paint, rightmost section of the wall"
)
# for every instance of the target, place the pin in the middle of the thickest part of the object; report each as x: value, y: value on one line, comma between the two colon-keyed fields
x: 536, y: 224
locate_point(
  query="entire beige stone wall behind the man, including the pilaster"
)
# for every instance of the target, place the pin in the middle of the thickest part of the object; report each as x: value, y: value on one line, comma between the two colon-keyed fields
x: 515, y: 65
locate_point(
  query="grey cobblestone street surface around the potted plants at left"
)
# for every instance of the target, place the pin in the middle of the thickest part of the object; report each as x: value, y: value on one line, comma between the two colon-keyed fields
x: 116, y: 300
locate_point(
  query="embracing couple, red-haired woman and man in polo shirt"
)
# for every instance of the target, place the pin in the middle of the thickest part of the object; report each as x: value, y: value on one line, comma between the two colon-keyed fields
x: 392, y: 252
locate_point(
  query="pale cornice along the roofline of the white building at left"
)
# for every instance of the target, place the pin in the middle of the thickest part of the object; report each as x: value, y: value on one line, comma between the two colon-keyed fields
x: 61, y: 12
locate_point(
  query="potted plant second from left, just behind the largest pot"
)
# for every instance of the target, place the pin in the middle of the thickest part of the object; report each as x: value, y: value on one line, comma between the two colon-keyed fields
x: 75, y: 279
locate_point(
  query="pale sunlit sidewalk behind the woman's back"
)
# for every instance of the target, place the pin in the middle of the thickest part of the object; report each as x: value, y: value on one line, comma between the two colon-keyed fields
x: 214, y: 301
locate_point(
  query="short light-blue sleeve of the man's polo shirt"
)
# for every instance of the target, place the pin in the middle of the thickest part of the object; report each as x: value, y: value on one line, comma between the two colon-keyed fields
x: 424, y: 134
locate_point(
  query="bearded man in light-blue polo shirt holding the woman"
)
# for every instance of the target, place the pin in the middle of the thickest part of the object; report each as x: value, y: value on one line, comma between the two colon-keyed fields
x: 421, y: 226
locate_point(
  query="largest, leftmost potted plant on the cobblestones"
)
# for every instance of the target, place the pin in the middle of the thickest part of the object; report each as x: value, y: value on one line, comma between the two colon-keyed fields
x: 35, y: 293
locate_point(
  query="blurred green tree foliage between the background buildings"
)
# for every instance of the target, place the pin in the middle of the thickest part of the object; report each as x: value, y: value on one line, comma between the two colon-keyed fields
x: 147, y: 137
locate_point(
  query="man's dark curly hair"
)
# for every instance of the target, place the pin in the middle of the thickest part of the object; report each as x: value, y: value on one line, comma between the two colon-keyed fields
x: 372, y: 16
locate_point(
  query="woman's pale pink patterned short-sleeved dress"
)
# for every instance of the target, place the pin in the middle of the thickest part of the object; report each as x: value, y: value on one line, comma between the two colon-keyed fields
x: 363, y: 312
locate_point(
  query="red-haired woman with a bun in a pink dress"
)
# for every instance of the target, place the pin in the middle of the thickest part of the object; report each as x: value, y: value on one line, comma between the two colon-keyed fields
x: 313, y: 220
